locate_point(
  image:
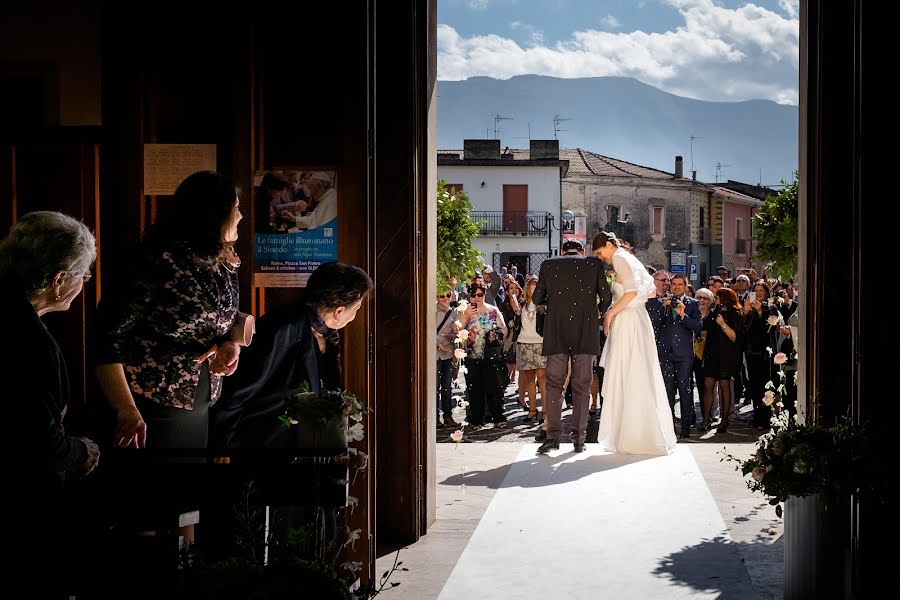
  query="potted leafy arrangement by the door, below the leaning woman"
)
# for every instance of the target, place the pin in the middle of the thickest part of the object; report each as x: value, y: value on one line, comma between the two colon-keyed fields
x: 322, y: 419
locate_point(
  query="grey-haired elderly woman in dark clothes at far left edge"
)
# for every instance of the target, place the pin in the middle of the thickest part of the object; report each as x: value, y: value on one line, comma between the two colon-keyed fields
x: 44, y: 262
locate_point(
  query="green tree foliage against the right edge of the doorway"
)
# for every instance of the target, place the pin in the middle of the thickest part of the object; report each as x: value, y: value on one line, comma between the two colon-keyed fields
x: 775, y: 232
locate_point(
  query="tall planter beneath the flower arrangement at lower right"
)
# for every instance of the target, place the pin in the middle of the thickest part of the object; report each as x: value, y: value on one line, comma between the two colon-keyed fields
x: 816, y: 559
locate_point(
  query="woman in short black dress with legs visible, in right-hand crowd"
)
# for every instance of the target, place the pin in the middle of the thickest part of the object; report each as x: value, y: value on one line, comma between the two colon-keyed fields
x: 722, y: 354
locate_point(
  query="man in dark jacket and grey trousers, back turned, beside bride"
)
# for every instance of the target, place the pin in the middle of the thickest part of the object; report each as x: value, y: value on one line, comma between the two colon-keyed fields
x: 569, y: 286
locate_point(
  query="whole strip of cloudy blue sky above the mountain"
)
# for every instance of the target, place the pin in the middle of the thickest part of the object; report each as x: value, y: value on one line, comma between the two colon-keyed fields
x: 705, y: 49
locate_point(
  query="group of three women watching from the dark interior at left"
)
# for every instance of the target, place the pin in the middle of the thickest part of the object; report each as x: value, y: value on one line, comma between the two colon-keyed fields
x: 175, y: 361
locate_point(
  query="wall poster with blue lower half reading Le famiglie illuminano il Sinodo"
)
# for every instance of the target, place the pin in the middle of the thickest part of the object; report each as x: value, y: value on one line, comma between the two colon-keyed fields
x: 296, y: 225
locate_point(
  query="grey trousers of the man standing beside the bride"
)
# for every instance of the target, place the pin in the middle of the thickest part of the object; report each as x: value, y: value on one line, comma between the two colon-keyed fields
x: 582, y: 375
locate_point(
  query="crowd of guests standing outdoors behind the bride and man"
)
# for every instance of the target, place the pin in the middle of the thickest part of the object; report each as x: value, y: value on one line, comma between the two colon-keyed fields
x: 719, y: 340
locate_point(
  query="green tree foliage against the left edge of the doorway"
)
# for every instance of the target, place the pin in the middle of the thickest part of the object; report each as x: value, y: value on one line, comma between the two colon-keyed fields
x: 456, y: 257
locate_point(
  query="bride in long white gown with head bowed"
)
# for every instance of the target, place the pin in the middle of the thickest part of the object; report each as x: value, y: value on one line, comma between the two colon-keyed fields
x: 636, y: 418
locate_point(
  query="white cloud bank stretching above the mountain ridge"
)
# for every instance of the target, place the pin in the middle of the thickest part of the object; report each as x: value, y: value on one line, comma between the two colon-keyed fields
x: 717, y: 54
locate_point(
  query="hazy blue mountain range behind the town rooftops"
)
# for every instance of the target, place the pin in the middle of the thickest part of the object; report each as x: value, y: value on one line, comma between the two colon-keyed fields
x: 754, y: 141
